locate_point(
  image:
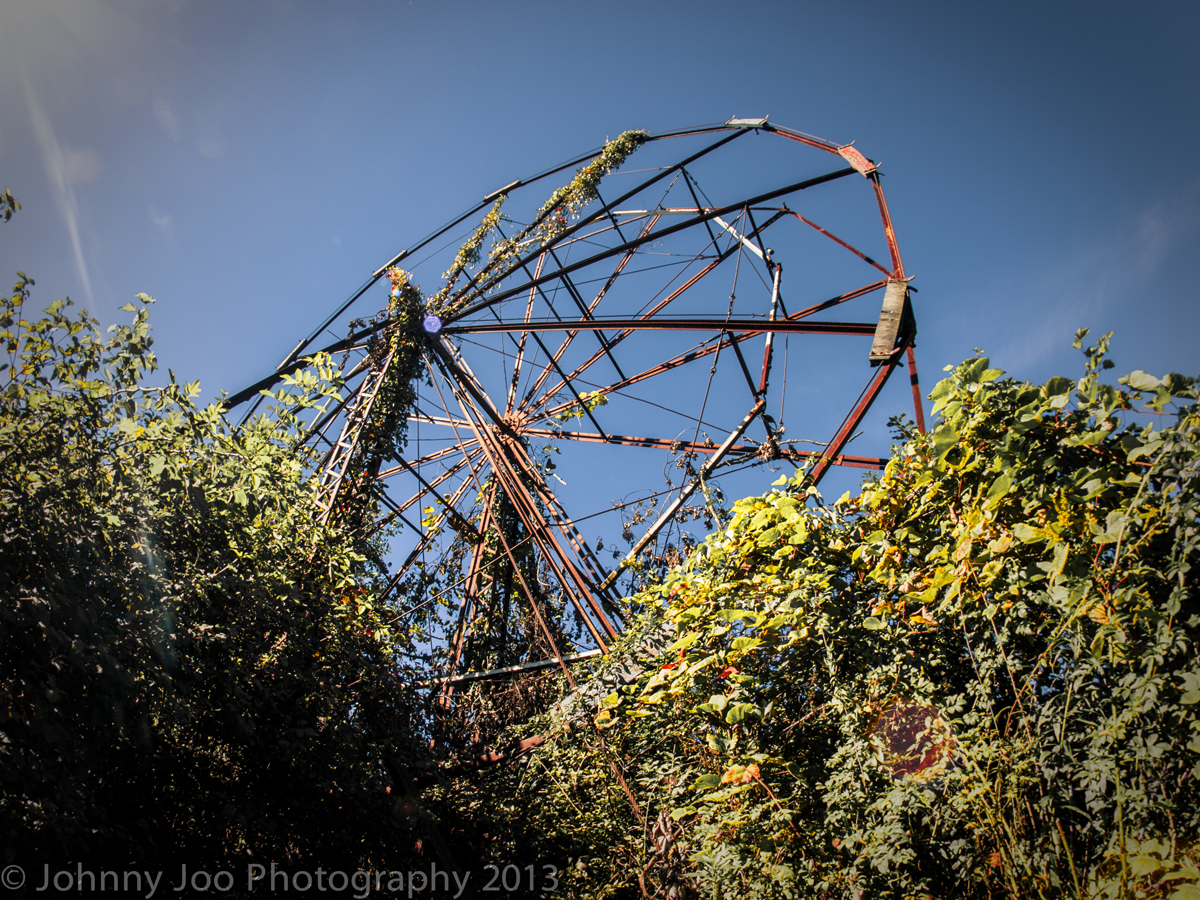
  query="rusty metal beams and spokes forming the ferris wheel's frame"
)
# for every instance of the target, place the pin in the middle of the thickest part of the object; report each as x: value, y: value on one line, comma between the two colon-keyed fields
x: 490, y: 443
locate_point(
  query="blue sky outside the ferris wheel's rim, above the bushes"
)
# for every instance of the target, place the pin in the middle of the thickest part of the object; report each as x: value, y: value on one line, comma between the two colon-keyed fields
x: 250, y: 164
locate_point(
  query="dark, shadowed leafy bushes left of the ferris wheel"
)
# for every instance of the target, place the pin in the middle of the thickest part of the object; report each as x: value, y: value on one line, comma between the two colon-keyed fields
x: 190, y: 663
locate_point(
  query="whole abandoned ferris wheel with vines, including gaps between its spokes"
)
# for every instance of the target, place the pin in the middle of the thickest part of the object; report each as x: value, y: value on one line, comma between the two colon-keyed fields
x: 589, y: 374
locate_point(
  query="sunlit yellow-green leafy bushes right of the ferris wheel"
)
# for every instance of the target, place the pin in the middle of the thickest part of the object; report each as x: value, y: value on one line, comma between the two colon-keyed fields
x: 977, y: 679
